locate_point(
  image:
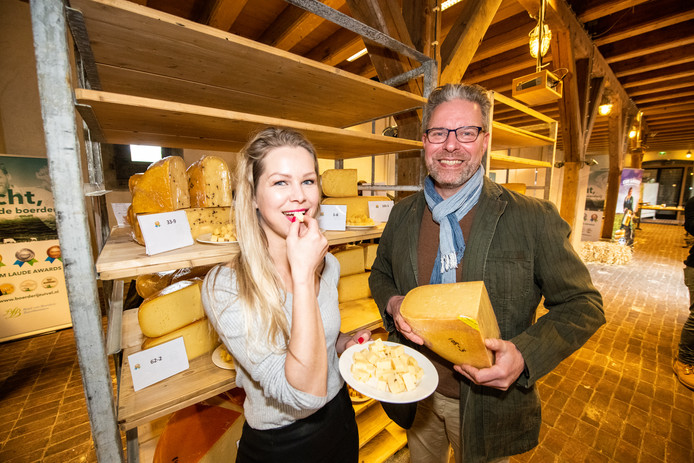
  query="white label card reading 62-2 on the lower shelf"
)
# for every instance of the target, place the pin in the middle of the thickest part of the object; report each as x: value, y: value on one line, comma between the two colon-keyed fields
x: 157, y: 363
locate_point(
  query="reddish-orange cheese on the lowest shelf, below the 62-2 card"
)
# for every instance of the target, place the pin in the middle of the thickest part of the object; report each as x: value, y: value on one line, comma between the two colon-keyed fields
x: 206, y: 432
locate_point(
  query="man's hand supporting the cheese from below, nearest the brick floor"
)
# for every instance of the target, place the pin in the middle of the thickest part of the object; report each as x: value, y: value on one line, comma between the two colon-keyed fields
x: 507, y: 368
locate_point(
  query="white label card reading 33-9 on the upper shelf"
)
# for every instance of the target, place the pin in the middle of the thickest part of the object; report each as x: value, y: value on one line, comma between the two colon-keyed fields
x: 165, y: 231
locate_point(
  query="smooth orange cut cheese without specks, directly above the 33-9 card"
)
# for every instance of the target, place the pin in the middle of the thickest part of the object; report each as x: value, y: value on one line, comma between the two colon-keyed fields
x: 163, y: 187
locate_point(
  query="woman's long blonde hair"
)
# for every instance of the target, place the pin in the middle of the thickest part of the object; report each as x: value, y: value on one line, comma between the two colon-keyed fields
x: 259, y: 286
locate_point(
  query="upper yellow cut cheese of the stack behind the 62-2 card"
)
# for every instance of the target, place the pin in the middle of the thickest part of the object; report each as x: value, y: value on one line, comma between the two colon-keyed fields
x: 172, y: 308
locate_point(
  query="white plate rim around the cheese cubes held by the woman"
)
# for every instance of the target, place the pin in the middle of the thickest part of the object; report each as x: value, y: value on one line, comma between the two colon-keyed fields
x: 426, y: 387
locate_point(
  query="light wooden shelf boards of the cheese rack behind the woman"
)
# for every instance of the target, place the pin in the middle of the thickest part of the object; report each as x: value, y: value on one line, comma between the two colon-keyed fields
x: 157, y: 79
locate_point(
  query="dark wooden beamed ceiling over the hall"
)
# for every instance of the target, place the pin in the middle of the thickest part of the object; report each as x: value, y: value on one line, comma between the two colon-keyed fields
x: 646, y: 45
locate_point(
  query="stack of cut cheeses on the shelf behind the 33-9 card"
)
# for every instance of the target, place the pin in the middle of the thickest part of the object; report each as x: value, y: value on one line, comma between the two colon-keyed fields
x: 204, y: 191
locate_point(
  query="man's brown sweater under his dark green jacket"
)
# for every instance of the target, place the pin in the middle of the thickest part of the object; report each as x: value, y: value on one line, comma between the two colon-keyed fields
x: 427, y: 249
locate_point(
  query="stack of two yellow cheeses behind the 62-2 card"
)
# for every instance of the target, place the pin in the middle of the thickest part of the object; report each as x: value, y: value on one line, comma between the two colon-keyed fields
x: 176, y: 311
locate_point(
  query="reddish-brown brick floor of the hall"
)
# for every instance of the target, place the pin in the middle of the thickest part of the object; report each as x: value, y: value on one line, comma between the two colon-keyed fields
x: 615, y: 400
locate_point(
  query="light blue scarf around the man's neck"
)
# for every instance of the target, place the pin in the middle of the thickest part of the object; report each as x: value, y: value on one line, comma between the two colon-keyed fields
x: 447, y: 213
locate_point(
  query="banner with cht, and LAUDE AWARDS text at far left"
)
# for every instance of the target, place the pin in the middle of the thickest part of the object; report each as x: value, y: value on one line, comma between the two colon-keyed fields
x: 33, y: 295
